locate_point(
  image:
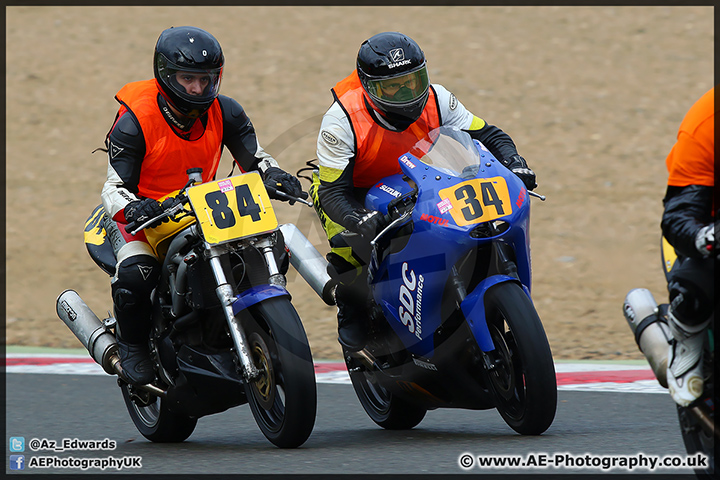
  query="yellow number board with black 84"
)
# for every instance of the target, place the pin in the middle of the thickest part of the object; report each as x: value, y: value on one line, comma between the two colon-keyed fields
x: 233, y: 208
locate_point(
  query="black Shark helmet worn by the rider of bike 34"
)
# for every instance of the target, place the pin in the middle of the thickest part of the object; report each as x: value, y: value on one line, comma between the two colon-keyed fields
x: 393, y: 73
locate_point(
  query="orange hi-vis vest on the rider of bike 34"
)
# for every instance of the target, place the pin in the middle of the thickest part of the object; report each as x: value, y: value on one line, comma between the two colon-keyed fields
x: 377, y: 149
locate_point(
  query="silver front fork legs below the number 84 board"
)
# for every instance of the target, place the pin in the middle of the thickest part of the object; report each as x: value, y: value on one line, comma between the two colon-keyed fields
x: 227, y: 297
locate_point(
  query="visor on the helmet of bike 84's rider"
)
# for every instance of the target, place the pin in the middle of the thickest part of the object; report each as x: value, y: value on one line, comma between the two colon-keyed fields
x: 193, y: 85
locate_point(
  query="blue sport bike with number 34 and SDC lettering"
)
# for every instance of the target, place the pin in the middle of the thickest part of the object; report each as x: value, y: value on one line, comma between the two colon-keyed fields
x: 453, y: 324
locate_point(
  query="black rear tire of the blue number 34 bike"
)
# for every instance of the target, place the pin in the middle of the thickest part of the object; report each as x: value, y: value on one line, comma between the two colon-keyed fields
x: 383, y: 408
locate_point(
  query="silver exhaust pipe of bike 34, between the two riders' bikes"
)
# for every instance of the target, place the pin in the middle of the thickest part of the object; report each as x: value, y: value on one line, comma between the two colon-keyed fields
x: 305, y: 258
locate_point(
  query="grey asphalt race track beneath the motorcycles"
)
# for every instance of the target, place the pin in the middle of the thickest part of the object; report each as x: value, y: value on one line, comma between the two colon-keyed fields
x: 591, y: 424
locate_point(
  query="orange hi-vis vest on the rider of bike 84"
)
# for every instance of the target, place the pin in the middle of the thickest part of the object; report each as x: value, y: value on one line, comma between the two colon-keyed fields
x: 167, y: 156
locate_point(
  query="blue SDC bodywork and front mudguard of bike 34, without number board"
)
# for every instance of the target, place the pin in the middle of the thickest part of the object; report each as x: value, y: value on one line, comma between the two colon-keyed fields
x: 408, y: 284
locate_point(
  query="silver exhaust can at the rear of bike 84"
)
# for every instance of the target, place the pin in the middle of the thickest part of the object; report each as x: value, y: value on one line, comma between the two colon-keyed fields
x: 87, y: 327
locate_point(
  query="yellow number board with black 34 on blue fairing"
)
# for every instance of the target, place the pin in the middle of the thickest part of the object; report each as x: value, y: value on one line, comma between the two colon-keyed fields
x: 477, y: 200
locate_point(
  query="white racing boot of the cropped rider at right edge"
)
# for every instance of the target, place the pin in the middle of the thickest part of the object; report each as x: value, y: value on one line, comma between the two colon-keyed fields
x: 685, y: 368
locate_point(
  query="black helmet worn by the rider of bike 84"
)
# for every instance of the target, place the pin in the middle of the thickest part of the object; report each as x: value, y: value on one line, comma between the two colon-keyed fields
x: 188, y: 50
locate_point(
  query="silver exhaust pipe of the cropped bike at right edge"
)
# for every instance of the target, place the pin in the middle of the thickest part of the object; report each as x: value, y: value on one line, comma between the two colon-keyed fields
x: 652, y: 334
